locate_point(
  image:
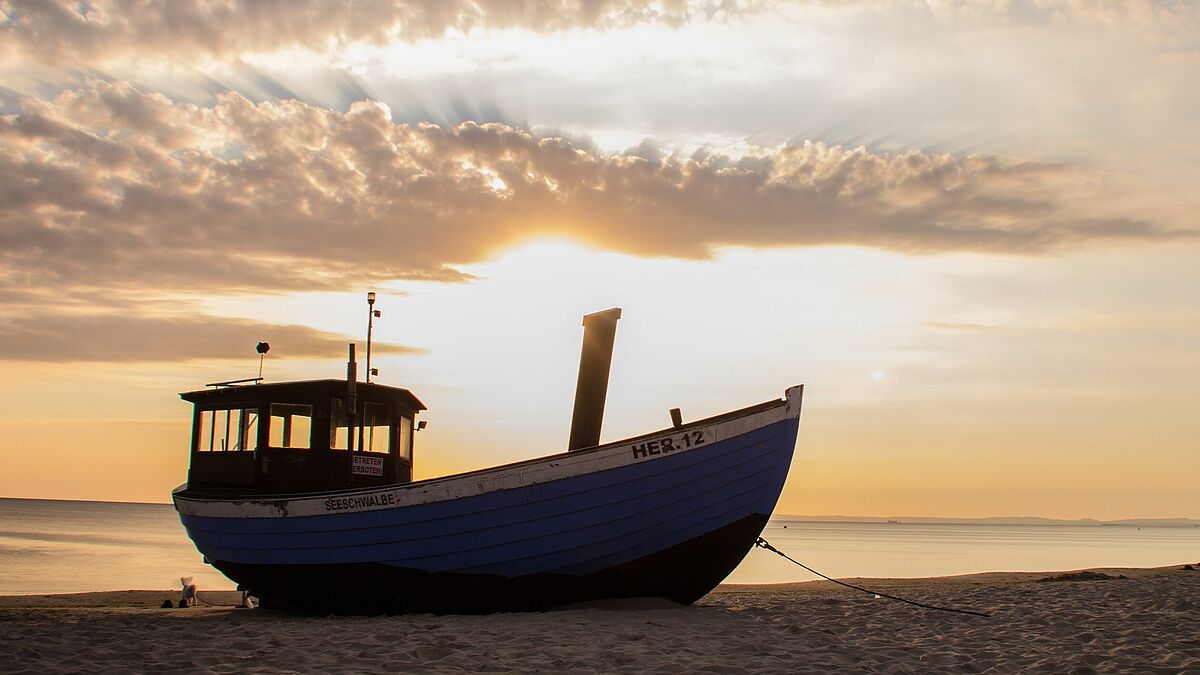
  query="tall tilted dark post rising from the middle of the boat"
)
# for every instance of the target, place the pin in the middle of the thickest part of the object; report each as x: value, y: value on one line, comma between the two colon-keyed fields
x: 596, y: 362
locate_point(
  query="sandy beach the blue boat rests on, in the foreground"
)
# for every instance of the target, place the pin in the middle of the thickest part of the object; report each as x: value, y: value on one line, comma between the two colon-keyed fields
x: 1112, y: 620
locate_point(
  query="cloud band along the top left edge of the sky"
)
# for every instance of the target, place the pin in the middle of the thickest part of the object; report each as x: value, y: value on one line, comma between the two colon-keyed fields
x: 63, y: 32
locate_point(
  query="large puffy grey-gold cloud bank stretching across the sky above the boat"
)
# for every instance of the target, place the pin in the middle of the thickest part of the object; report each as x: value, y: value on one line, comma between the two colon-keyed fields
x: 107, y: 187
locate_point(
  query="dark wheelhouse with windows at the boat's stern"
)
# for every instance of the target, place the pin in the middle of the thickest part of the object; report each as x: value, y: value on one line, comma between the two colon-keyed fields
x: 301, y: 438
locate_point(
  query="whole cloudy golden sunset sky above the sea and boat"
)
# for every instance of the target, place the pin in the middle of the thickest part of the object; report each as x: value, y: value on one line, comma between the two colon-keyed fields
x: 968, y: 228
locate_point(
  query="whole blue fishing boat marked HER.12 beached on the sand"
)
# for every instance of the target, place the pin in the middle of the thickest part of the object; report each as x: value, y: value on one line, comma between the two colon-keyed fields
x: 302, y: 493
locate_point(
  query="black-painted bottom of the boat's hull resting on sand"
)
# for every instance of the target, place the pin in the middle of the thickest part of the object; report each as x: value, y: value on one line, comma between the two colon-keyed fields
x: 683, y: 574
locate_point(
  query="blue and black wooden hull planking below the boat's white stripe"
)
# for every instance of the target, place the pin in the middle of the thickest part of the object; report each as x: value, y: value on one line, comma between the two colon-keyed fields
x: 671, y: 528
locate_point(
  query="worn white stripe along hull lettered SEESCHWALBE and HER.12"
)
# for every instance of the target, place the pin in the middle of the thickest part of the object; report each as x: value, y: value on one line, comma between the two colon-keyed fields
x: 622, y: 453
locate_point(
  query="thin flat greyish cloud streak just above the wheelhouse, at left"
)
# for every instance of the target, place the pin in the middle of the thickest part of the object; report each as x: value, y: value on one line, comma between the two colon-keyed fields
x: 64, y: 338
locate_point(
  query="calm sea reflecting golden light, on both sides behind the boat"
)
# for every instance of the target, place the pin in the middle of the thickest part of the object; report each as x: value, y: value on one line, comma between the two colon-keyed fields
x: 64, y: 547
